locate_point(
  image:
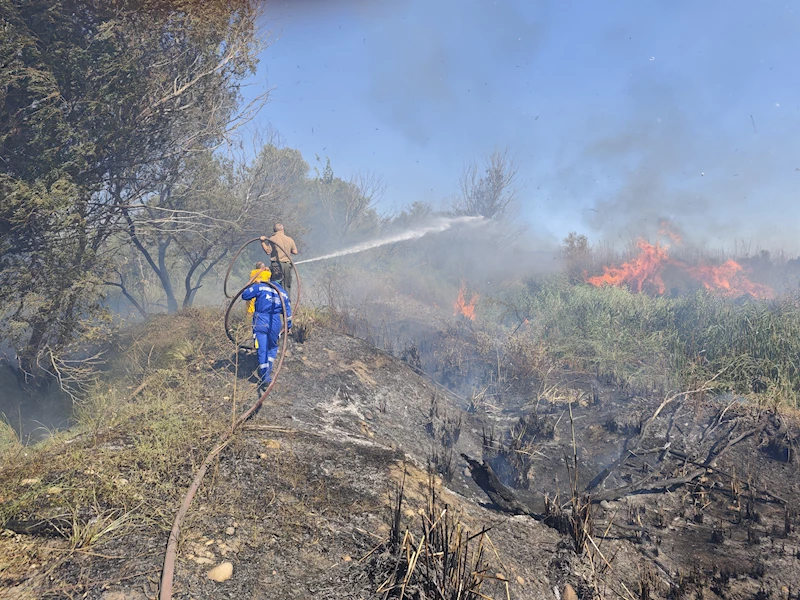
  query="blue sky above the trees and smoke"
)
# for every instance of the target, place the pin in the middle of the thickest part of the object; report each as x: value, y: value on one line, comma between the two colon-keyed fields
x: 619, y: 113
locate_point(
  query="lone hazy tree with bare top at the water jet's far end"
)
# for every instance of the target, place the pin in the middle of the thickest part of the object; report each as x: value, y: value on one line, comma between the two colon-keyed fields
x: 490, y: 194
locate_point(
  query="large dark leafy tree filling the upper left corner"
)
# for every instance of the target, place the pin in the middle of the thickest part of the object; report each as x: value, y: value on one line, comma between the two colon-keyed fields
x: 98, y: 100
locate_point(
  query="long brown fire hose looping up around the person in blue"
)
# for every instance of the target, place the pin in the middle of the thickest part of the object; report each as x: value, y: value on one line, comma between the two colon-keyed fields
x: 168, y: 571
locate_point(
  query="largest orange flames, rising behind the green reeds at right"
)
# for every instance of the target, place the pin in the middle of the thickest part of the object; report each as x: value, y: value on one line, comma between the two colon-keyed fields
x: 644, y: 272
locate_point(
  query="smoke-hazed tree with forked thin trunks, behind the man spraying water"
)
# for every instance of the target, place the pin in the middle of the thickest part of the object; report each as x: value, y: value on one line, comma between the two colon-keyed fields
x: 192, y: 222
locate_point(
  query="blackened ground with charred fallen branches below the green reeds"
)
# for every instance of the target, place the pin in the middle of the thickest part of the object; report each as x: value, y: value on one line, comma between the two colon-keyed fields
x: 706, y: 492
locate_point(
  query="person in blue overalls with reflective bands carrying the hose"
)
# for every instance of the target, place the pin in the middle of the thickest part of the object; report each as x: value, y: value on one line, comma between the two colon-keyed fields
x: 267, y: 324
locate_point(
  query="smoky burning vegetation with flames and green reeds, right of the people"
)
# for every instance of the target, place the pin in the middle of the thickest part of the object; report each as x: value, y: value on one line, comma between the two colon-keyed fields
x: 467, y: 306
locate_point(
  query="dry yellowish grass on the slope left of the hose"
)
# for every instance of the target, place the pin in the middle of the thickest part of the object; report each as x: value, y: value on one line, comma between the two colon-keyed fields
x: 127, y: 454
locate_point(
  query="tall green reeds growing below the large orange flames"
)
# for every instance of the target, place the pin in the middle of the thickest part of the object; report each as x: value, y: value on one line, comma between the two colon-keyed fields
x: 751, y: 346
